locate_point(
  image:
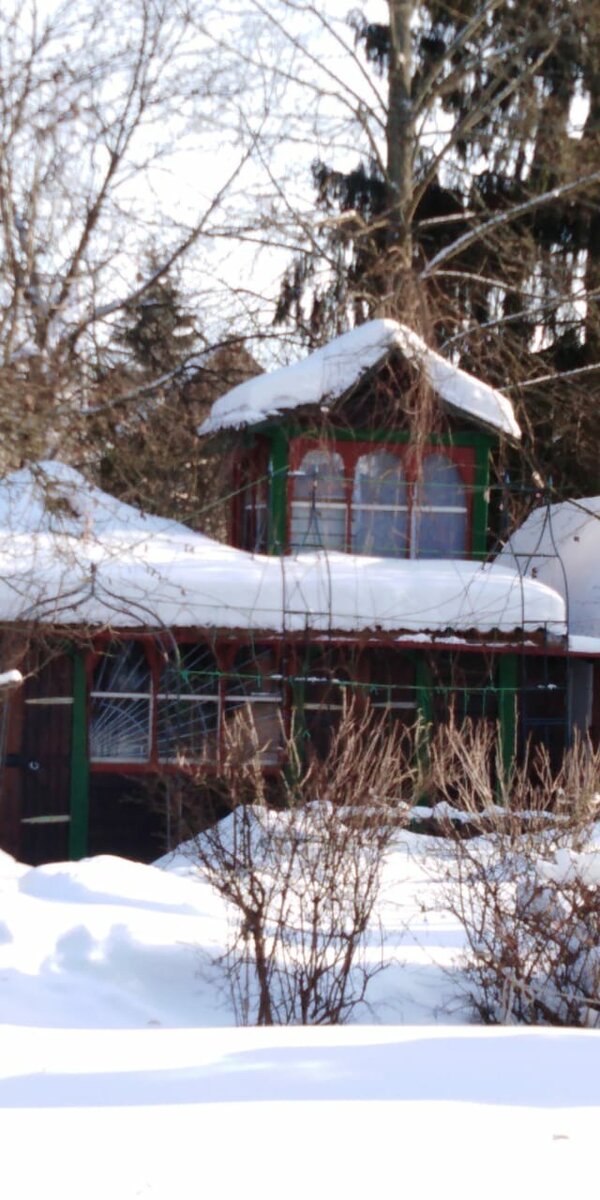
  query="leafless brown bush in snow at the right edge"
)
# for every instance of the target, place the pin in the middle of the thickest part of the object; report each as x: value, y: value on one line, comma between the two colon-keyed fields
x: 529, y: 899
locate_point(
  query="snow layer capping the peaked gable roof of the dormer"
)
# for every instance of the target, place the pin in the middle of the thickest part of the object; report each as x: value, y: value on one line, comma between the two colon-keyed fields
x: 331, y: 371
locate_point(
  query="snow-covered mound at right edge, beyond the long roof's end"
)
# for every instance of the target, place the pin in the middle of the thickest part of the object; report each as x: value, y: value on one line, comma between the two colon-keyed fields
x: 560, y: 545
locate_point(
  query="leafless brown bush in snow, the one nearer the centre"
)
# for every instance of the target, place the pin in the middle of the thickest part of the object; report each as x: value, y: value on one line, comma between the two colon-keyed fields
x: 303, y: 879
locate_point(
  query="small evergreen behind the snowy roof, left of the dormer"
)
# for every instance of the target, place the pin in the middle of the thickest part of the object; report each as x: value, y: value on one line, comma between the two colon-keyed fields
x: 161, y: 388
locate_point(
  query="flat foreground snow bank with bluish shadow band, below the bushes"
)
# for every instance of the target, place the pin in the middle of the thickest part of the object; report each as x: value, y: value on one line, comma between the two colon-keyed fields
x: 328, y: 1113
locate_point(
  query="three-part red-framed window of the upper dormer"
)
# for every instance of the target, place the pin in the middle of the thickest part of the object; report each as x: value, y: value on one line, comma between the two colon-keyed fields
x: 381, y: 502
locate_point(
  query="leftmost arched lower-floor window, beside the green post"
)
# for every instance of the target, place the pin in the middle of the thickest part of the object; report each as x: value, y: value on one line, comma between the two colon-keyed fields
x: 121, y: 717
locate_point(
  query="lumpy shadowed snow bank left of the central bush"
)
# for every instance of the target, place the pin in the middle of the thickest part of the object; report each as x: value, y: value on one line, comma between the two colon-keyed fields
x: 106, y: 943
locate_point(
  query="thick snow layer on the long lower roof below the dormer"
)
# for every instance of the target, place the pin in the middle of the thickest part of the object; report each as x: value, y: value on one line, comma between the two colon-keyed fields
x: 111, y: 565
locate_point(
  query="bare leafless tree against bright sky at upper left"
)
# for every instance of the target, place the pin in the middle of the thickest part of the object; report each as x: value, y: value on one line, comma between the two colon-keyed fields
x: 100, y: 106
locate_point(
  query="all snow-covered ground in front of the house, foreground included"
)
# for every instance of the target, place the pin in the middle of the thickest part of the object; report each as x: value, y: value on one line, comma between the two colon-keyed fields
x: 122, y: 1076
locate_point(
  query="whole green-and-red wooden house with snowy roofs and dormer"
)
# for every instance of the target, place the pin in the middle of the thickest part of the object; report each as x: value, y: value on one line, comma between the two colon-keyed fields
x: 359, y: 565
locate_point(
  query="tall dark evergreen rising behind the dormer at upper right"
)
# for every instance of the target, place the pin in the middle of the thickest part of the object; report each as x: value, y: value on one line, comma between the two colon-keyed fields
x: 487, y: 237
